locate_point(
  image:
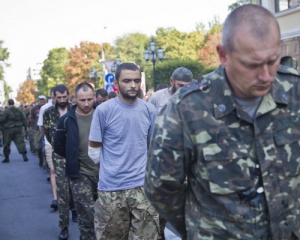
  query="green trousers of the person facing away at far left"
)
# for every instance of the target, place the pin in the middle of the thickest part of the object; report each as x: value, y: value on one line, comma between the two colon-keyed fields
x: 13, y: 134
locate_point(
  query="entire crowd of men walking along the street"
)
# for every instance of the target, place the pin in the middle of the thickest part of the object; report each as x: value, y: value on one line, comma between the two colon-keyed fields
x: 217, y: 157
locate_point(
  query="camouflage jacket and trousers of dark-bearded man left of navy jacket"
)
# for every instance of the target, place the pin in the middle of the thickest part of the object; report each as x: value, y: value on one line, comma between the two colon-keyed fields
x: 64, y: 196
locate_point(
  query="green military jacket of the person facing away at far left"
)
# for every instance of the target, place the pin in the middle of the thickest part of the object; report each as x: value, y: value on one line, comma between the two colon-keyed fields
x: 13, y: 117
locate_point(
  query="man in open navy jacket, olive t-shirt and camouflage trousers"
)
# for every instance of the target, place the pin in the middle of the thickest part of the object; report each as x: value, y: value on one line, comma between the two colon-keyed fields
x: 71, y: 142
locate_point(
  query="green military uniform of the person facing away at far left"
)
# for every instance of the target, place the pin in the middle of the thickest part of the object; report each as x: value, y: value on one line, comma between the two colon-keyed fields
x: 13, y: 120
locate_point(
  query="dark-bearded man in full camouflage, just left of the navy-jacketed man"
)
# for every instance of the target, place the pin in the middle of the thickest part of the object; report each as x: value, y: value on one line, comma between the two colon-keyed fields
x: 64, y: 196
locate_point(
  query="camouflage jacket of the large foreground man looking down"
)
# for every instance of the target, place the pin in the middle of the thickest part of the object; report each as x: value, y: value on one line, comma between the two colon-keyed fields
x: 243, y: 175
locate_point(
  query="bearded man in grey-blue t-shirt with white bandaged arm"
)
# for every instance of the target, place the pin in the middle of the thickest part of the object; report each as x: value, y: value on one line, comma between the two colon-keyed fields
x: 119, y: 136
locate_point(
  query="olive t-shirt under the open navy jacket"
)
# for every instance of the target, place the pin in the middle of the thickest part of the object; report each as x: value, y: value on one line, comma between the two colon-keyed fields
x: 87, y: 166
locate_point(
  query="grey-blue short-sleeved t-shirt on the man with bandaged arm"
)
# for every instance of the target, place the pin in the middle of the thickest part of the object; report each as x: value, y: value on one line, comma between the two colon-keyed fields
x: 124, y: 131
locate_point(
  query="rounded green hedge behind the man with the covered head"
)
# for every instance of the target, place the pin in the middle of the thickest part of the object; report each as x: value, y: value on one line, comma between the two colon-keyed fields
x: 165, y: 69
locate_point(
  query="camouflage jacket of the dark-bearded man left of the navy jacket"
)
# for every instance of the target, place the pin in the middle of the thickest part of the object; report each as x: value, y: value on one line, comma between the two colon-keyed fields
x: 50, y: 120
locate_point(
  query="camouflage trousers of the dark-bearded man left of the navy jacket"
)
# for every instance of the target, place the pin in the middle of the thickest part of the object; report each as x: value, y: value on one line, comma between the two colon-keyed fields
x: 64, y: 196
